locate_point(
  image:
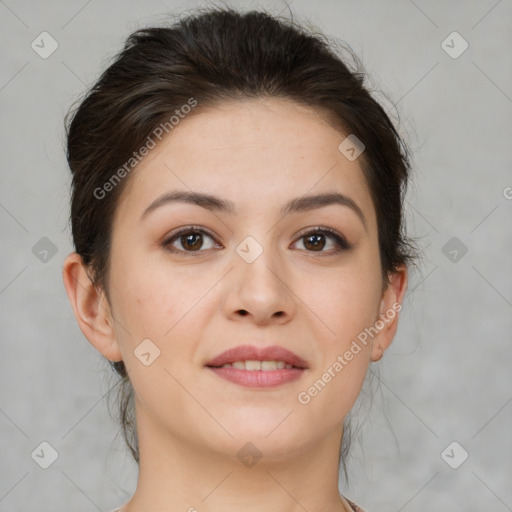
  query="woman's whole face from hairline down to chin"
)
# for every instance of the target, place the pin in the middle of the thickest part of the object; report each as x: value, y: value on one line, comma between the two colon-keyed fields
x: 260, y: 274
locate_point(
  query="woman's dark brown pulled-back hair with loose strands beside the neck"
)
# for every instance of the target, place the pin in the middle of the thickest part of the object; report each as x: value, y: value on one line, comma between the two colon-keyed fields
x: 214, y: 55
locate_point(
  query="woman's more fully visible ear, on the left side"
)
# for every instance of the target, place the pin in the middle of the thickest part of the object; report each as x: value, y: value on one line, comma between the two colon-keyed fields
x: 91, y: 308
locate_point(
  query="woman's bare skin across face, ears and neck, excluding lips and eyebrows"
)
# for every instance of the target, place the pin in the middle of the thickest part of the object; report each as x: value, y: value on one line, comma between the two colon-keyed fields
x: 191, y: 423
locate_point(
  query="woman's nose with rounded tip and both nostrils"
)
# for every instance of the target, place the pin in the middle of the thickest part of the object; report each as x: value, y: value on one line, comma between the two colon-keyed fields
x: 259, y: 291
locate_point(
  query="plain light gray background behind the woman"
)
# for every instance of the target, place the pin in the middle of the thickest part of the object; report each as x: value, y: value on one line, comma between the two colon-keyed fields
x: 447, y: 376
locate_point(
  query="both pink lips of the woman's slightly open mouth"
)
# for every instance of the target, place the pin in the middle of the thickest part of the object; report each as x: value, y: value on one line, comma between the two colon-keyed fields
x: 258, y: 378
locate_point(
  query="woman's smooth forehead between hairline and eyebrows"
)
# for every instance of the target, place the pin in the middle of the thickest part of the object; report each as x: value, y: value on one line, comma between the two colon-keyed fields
x: 257, y: 153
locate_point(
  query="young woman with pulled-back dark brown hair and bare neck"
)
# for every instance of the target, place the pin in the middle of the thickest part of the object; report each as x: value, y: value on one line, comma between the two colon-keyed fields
x: 240, y: 257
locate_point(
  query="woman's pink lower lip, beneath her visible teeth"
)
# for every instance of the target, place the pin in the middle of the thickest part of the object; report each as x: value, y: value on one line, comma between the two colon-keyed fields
x: 258, y: 378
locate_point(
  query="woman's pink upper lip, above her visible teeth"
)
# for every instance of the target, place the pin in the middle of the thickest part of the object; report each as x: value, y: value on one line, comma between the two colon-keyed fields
x: 252, y: 353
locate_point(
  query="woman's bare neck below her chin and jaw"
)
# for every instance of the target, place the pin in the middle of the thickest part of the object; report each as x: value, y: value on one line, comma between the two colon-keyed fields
x: 176, y: 475
